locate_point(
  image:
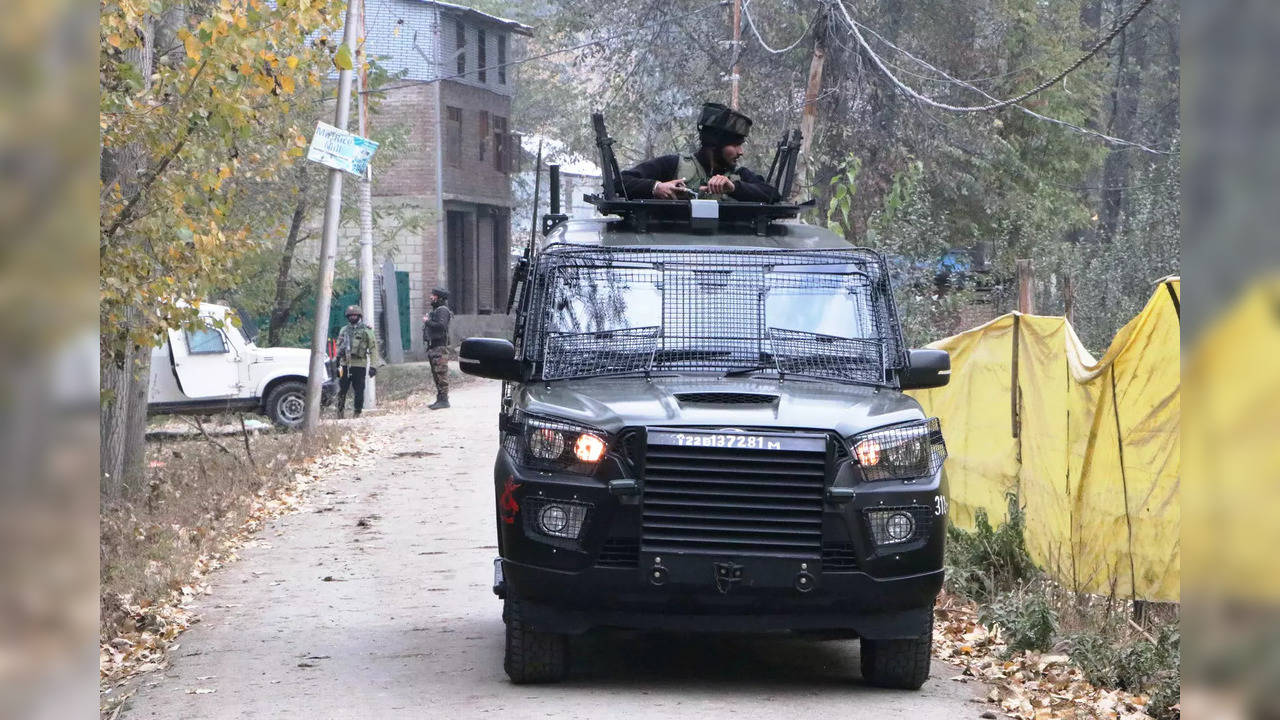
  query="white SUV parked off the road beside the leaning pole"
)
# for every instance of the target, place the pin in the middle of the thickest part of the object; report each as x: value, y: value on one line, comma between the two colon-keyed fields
x: 218, y: 368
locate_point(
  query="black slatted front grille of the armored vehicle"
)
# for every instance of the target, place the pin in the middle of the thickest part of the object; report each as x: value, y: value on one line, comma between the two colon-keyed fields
x: 733, y: 502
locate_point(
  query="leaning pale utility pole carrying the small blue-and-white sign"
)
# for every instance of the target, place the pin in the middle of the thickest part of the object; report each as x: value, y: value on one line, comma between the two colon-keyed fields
x: 330, y: 240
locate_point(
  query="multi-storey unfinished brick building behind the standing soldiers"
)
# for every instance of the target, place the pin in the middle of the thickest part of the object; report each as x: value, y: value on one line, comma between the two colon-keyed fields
x: 455, y: 102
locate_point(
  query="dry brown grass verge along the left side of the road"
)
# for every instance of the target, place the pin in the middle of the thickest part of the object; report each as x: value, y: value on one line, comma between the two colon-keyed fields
x: 195, y: 494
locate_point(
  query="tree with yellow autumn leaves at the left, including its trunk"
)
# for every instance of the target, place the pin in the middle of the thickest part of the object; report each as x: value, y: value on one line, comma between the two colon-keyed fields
x: 196, y: 106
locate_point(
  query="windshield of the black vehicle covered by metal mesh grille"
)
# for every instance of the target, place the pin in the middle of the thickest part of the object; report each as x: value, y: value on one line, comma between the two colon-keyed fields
x: 611, y: 311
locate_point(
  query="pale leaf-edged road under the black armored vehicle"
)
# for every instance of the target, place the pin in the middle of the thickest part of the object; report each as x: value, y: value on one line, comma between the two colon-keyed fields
x: 376, y: 601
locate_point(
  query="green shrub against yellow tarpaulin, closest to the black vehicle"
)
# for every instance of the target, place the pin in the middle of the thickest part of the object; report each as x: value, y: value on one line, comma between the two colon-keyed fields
x: 989, y: 562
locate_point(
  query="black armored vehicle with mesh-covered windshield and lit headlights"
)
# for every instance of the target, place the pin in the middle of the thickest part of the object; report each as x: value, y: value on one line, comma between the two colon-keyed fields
x: 703, y: 430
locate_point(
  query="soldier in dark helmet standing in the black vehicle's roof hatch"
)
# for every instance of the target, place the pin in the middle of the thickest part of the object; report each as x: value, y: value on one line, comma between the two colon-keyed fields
x: 712, y: 172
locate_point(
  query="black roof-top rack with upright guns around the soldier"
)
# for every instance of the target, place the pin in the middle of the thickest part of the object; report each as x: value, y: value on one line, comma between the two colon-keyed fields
x: 698, y: 215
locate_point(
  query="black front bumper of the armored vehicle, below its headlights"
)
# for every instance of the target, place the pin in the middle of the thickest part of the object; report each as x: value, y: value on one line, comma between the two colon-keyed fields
x: 569, y: 589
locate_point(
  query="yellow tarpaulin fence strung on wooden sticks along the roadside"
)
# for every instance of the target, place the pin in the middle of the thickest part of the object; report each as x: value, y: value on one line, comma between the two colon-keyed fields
x: 1091, y: 448
